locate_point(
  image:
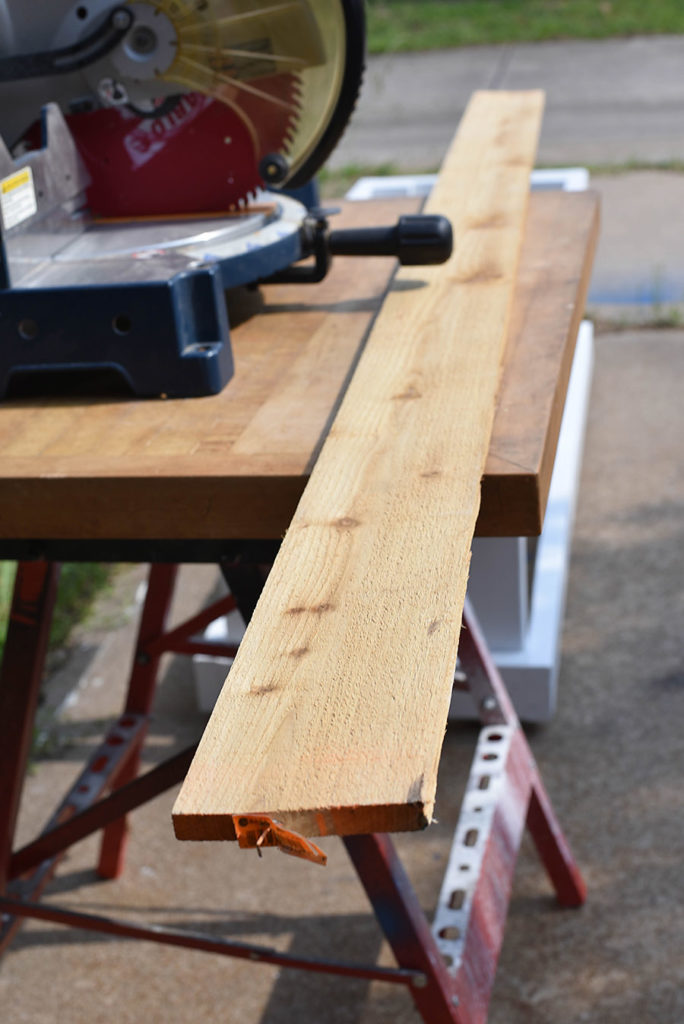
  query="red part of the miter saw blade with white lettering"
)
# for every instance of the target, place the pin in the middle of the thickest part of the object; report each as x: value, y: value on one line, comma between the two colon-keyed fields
x: 202, y: 156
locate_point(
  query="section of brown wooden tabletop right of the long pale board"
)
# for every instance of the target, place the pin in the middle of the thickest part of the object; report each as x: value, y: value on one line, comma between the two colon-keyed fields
x: 551, y: 292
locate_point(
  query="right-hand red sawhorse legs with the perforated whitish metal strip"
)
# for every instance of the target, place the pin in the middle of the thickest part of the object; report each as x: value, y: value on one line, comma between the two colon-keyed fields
x: 458, y: 956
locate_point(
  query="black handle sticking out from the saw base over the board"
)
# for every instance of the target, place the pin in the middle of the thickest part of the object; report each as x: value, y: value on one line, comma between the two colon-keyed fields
x: 416, y: 240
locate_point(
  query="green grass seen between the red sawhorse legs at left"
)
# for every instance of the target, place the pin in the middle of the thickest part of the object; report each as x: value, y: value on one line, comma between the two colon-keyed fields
x: 79, y: 585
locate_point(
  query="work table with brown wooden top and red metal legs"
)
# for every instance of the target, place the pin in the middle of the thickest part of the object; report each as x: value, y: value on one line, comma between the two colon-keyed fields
x: 218, y: 481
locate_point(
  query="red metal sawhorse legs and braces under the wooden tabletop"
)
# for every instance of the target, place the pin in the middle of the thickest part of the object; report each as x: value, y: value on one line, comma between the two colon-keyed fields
x: 449, y: 968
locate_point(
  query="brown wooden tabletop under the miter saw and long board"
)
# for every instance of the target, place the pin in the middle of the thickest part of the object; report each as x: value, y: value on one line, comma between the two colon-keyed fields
x: 236, y: 464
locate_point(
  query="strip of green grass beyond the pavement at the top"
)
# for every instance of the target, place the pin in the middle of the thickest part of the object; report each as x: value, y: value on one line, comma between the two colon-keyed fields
x: 424, y: 25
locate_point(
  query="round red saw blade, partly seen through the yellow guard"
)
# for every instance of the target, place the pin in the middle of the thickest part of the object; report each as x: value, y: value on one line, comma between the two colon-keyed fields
x: 242, y: 62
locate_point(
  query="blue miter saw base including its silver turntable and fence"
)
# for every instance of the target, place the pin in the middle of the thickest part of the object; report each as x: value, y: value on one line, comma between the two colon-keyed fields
x: 140, y: 306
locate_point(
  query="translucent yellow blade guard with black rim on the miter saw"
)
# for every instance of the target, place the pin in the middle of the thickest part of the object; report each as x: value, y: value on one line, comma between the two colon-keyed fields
x: 230, y: 50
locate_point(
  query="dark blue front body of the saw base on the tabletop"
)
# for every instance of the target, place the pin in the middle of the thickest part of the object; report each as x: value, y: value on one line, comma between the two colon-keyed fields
x: 163, y: 338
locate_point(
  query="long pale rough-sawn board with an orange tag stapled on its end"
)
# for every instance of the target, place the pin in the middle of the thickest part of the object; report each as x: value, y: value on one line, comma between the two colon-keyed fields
x: 333, y: 716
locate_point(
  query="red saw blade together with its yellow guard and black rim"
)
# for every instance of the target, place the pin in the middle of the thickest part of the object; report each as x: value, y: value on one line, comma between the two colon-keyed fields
x: 202, y: 99
